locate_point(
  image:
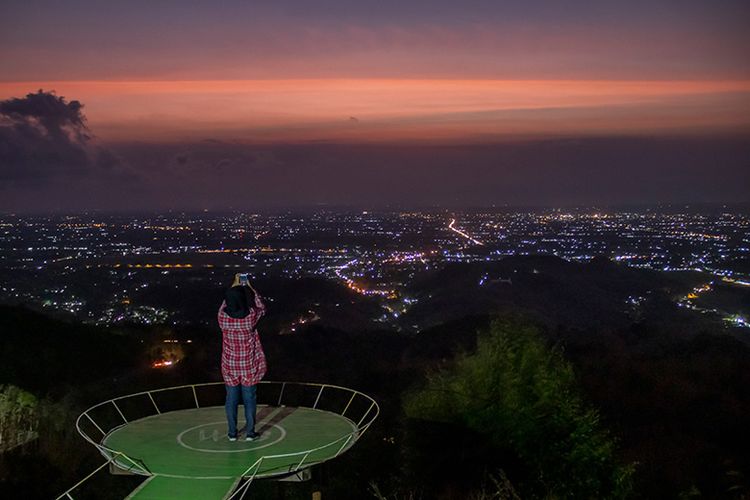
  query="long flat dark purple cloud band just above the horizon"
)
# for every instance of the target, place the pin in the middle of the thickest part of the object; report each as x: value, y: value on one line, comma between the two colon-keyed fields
x: 578, y: 171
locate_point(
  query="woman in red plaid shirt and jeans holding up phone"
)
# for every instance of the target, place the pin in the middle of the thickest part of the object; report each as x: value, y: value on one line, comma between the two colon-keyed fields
x: 243, y: 363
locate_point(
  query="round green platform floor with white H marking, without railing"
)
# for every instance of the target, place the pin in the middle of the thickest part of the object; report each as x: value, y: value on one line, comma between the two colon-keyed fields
x: 193, y: 443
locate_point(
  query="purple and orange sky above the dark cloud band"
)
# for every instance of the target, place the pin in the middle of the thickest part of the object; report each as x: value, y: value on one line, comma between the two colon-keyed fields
x: 344, y: 71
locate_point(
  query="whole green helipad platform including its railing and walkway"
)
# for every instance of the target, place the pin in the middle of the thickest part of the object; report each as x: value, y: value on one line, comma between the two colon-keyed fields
x: 177, y: 436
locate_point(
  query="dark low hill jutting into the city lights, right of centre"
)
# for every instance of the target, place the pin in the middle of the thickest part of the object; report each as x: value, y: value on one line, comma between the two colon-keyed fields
x: 596, y: 294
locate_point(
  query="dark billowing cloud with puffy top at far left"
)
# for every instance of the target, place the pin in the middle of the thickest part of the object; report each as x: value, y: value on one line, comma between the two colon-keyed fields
x: 44, y: 137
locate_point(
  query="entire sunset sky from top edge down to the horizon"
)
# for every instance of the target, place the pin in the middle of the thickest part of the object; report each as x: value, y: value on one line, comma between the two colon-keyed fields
x: 316, y: 100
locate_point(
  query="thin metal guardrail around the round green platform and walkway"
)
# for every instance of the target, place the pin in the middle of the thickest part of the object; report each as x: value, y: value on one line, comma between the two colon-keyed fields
x: 137, y: 466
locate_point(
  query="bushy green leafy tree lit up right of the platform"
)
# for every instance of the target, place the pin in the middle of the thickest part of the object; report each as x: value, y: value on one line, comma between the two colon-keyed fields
x: 524, y: 396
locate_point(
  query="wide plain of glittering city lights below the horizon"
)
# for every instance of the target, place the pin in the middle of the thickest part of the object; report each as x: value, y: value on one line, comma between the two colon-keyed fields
x: 111, y: 270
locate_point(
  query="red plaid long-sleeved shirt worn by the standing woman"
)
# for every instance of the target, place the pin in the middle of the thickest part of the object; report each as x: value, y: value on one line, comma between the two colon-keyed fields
x: 242, y: 358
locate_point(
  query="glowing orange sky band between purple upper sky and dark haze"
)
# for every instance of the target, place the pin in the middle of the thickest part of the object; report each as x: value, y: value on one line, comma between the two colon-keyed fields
x: 396, y: 109
